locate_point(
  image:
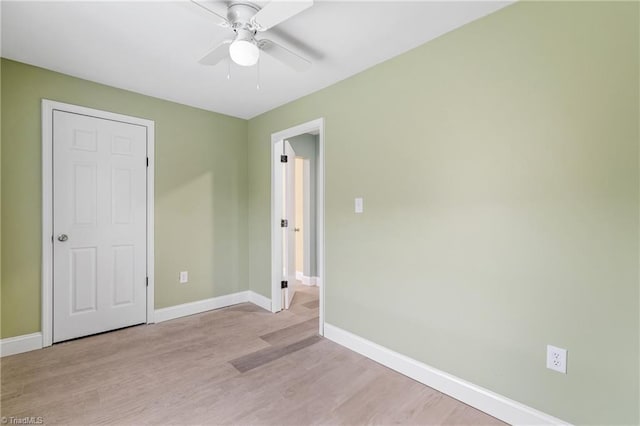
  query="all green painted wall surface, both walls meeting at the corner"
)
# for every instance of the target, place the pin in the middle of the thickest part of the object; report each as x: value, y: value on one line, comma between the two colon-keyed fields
x: 499, y: 168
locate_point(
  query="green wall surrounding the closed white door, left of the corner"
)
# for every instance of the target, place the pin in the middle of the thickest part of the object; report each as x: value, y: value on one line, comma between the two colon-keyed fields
x: 200, y: 192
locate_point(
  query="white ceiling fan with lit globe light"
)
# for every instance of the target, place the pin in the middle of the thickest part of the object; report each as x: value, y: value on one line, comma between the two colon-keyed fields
x: 246, y: 20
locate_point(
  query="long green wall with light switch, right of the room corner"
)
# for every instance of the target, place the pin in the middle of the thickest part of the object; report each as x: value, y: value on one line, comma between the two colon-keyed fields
x: 499, y: 170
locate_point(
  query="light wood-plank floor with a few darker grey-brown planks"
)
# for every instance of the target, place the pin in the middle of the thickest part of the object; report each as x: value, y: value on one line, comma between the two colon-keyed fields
x: 238, y: 365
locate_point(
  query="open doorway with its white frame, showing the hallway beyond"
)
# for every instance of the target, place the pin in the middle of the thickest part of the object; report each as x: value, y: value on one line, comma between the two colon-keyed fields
x: 297, y: 213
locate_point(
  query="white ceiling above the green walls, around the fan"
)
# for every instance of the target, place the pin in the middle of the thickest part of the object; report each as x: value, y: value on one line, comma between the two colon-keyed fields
x: 153, y: 48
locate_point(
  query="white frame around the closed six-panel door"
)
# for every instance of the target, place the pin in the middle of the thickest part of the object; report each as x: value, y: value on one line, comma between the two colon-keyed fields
x: 48, y: 107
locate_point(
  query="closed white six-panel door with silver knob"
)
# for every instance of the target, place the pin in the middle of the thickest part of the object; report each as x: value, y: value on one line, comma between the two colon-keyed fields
x: 99, y: 225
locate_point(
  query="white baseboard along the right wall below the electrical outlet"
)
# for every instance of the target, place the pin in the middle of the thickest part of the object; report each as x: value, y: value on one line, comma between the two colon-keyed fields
x: 485, y: 400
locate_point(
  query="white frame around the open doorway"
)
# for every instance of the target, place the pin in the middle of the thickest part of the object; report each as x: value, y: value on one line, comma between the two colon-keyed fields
x: 276, y: 252
